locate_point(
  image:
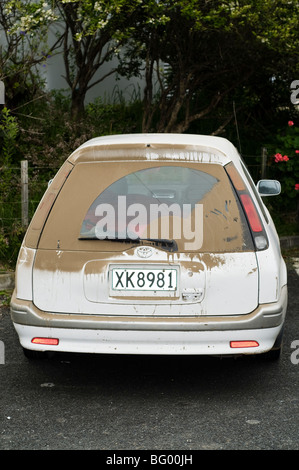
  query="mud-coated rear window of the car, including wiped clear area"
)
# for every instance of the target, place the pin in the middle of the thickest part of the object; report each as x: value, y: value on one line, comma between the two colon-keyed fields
x: 106, y: 206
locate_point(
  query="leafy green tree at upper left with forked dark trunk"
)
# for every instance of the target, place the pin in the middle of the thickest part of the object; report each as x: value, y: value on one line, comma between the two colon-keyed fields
x: 90, y: 32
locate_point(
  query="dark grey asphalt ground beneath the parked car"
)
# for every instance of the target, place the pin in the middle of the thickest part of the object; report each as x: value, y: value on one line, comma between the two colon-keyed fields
x: 86, y: 402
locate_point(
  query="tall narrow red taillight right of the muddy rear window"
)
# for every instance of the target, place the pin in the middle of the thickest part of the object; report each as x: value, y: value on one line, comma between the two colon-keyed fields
x: 249, y: 208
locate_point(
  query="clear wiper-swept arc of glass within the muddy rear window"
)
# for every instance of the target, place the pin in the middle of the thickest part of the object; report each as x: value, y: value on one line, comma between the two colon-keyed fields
x: 130, y: 206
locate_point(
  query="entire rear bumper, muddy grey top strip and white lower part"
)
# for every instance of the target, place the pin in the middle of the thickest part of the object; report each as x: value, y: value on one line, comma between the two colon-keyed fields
x: 141, y: 335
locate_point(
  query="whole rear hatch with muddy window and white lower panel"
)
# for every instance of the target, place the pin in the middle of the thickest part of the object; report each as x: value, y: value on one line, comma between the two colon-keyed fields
x: 209, y: 269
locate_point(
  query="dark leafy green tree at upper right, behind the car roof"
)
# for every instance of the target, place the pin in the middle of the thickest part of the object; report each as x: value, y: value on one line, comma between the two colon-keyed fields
x: 215, y: 51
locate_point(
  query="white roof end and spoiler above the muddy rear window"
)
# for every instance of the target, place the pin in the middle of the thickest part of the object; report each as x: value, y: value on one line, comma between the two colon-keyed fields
x: 195, y: 147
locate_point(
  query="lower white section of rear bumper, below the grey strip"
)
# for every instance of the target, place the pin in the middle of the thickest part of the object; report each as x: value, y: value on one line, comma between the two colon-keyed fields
x: 148, y: 342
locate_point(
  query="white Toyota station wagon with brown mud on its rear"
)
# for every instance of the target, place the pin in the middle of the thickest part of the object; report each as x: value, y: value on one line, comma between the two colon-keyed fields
x: 152, y: 244
